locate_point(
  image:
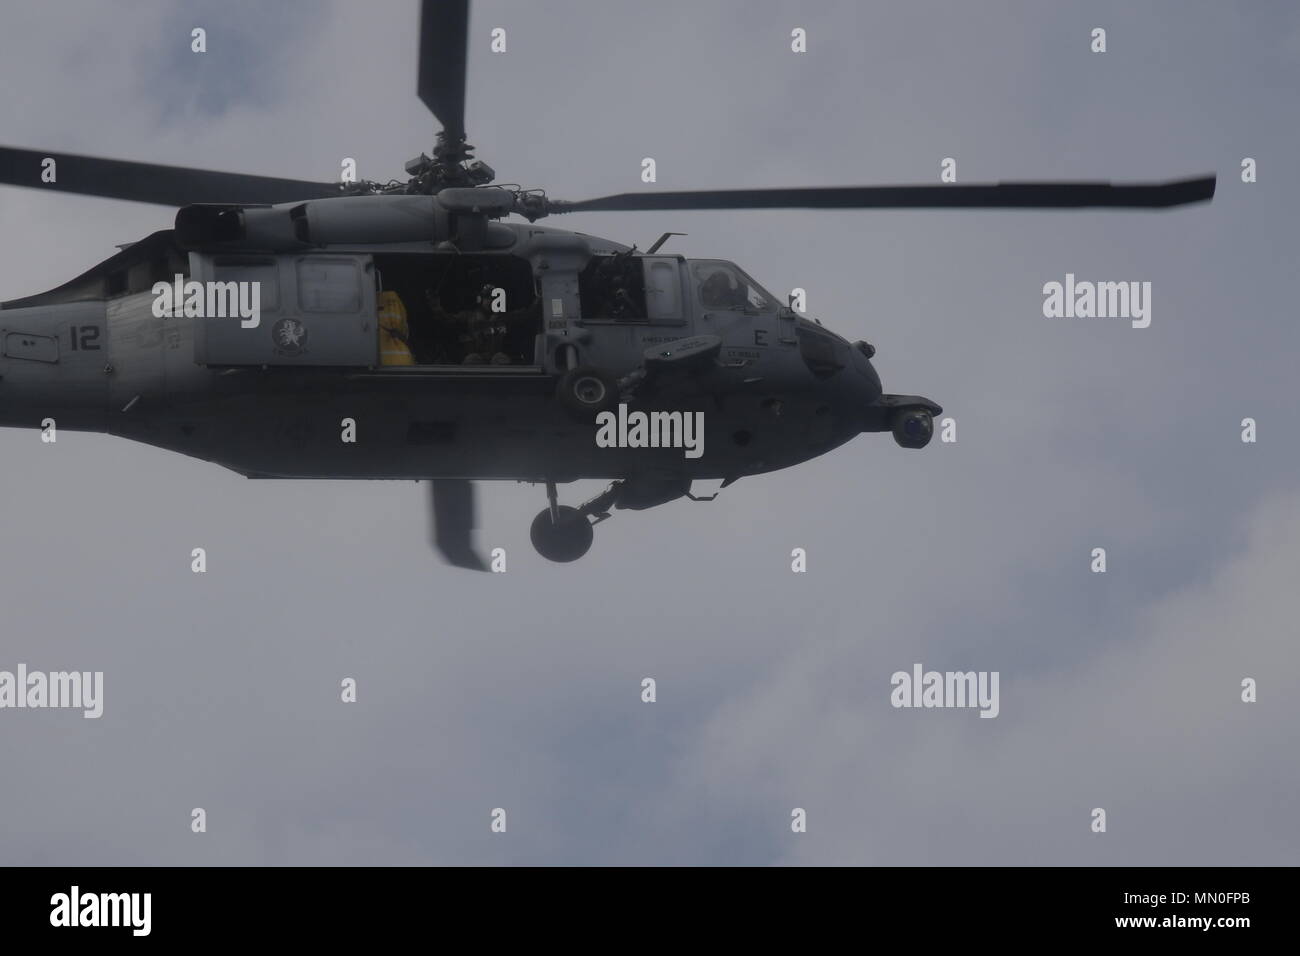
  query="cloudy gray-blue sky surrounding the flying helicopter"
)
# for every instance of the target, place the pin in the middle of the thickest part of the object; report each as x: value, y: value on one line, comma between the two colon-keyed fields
x: 523, y: 691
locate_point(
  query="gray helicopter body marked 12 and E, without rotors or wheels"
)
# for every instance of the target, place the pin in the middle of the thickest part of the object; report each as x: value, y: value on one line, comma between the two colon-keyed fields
x: 101, y: 354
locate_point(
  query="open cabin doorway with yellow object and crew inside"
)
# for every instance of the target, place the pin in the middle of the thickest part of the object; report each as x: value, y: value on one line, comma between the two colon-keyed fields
x: 457, y: 310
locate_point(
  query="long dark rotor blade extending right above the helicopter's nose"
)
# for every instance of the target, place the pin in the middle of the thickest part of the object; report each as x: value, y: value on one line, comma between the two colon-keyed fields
x: 1002, y: 196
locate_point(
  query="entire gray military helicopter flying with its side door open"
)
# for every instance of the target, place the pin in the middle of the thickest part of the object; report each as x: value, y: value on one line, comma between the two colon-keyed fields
x: 458, y: 345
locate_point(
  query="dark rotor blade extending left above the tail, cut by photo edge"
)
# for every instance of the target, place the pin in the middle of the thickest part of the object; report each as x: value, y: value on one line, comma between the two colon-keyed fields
x: 146, y: 183
